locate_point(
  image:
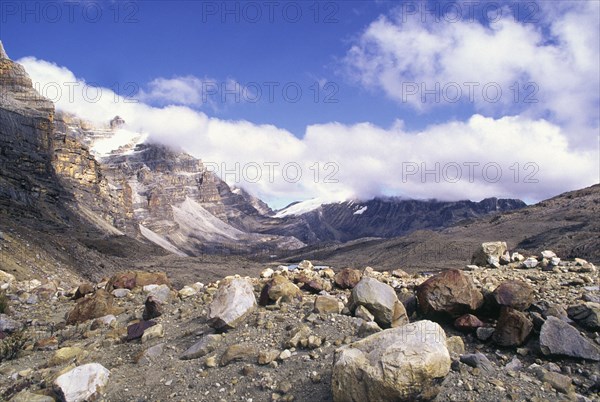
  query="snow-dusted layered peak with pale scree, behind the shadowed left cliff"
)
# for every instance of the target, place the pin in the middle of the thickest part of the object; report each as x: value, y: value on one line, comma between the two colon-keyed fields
x: 171, y: 199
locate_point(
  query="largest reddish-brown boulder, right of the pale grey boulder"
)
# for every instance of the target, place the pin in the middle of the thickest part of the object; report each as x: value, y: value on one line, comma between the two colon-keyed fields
x: 450, y: 293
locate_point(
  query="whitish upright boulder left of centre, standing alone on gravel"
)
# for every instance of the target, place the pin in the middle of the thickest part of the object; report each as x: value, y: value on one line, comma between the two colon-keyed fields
x: 231, y: 303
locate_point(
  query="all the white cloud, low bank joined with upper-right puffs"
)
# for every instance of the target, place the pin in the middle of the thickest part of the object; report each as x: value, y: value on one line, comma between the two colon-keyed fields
x: 505, y: 148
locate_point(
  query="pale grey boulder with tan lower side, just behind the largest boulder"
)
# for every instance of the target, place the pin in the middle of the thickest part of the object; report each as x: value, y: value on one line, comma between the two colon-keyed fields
x: 381, y: 301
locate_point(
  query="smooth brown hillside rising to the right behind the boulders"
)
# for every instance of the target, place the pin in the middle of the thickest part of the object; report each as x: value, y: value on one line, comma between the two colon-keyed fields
x: 567, y: 224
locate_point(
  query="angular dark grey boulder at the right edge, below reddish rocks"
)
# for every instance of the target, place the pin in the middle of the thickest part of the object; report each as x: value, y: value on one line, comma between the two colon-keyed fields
x: 559, y: 338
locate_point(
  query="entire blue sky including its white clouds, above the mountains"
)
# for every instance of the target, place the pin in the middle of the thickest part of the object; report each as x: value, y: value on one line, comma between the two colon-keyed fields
x: 378, y: 82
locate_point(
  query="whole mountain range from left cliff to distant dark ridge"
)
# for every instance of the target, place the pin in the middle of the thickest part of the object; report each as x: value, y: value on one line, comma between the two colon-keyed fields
x: 109, y: 188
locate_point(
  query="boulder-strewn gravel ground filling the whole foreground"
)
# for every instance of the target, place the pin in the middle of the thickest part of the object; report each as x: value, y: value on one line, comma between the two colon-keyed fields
x: 299, y: 333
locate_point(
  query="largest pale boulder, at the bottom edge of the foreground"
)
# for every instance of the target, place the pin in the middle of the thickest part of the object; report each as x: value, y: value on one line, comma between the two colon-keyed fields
x: 394, y: 364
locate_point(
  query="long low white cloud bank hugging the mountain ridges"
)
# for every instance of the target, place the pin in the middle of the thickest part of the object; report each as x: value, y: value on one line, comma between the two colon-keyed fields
x: 339, y: 161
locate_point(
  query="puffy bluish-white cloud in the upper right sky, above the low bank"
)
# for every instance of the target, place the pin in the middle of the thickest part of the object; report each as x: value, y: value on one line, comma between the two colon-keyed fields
x: 554, y: 62
